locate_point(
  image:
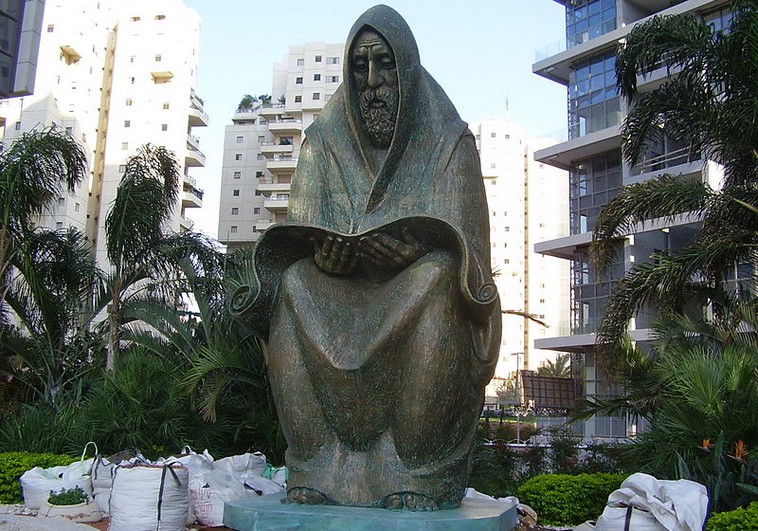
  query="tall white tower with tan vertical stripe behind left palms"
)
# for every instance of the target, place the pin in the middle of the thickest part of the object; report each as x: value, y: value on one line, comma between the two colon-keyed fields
x: 115, y: 75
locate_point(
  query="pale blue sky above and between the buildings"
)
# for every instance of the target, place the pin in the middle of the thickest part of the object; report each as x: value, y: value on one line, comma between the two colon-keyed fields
x: 481, y: 53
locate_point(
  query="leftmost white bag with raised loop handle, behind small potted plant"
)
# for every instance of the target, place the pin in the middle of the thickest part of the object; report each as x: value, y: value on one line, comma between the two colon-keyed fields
x: 37, y: 482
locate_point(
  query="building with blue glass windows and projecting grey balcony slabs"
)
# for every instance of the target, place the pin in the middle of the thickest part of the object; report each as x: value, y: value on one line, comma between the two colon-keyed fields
x: 591, y: 155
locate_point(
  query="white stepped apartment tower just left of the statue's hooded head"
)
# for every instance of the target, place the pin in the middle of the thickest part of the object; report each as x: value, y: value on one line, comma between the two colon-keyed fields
x: 262, y: 144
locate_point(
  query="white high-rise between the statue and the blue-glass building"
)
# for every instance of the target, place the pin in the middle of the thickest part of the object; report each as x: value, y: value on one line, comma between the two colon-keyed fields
x: 528, y: 203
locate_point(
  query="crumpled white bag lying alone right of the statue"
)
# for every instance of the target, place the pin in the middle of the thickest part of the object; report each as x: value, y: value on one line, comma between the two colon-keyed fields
x: 644, y: 503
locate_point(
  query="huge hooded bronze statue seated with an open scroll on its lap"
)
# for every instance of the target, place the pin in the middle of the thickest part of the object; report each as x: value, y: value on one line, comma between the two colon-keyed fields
x: 375, y: 299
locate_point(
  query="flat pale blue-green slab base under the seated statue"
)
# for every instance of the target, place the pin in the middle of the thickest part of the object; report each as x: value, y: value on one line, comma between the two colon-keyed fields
x: 268, y: 513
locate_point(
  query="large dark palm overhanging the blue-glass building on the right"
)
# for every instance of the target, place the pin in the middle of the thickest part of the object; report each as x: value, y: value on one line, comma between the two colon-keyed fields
x: 709, y: 105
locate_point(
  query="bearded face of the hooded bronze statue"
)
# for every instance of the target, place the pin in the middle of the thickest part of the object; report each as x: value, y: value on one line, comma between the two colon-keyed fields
x: 375, y: 78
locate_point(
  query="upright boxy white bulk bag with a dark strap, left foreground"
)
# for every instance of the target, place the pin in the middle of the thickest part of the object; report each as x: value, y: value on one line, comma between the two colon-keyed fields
x: 149, y: 497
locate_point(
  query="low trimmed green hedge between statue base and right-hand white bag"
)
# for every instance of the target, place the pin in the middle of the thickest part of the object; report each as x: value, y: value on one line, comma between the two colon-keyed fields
x: 568, y: 500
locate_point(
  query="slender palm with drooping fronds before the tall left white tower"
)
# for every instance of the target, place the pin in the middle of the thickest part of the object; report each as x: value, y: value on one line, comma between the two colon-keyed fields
x: 135, y: 236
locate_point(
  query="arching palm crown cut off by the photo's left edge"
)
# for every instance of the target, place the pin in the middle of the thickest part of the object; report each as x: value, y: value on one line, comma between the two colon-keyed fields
x: 34, y: 170
